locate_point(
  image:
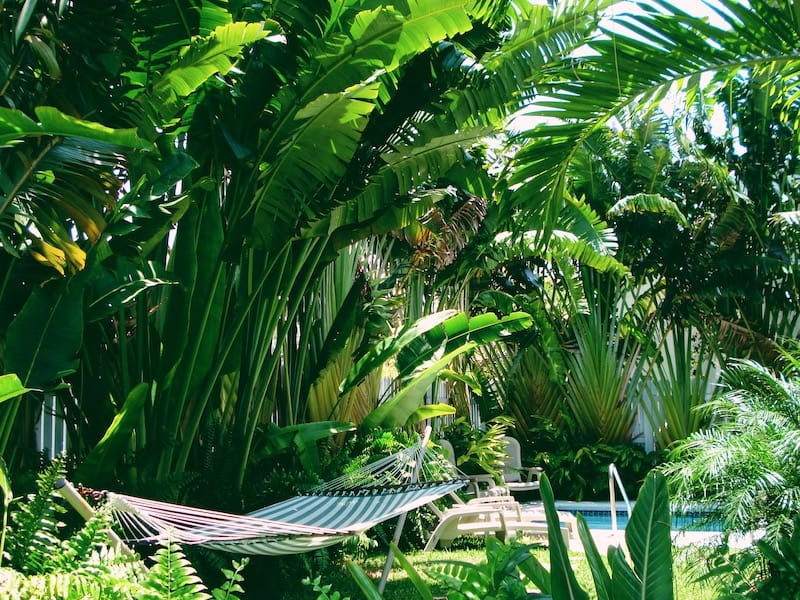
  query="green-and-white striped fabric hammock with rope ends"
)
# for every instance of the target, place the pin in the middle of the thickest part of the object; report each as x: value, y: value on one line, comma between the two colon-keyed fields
x: 326, y: 515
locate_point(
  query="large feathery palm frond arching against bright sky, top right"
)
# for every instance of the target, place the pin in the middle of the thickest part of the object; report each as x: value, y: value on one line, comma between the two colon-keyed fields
x: 676, y: 47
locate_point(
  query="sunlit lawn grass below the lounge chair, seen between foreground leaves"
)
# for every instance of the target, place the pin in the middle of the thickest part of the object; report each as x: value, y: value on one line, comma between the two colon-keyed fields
x: 400, y: 588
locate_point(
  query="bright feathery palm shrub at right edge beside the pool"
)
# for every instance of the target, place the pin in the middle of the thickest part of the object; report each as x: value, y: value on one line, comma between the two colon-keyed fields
x: 746, y: 464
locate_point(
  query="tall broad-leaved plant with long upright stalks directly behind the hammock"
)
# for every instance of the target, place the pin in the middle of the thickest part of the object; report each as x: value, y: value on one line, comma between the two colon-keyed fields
x: 258, y: 273
